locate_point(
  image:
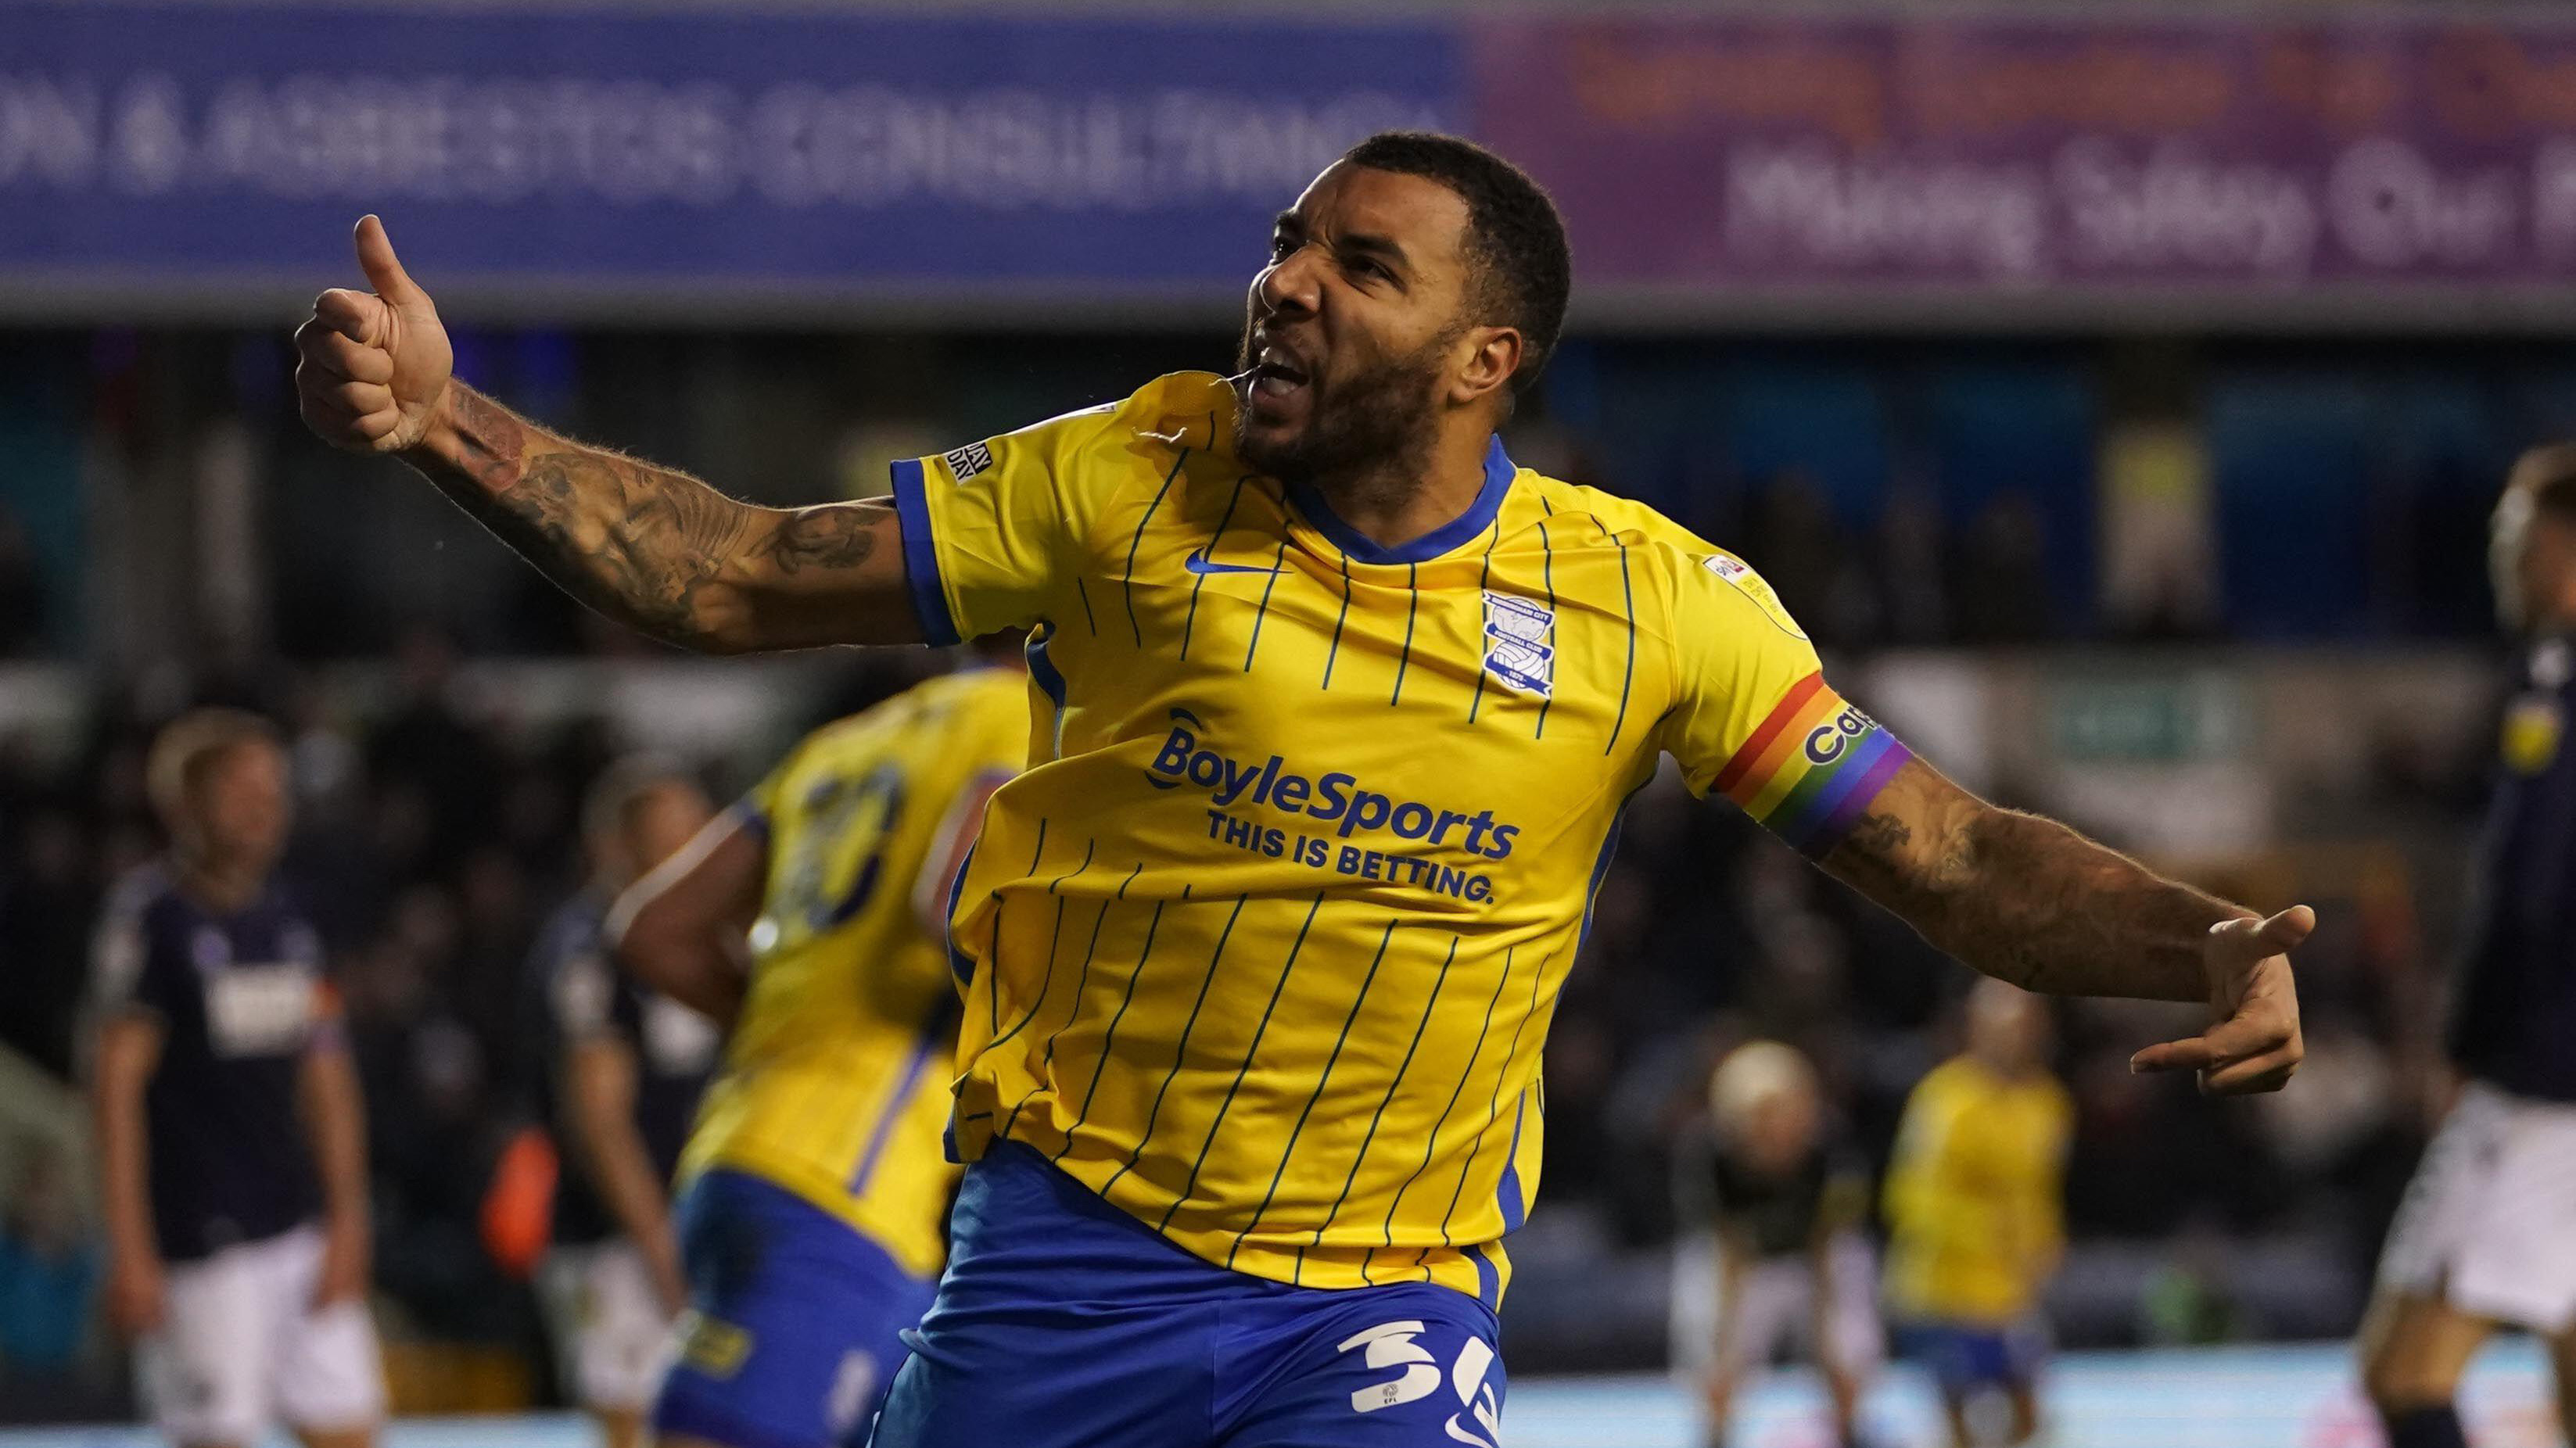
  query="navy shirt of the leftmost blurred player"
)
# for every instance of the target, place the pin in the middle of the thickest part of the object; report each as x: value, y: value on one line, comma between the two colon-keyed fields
x: 241, y: 998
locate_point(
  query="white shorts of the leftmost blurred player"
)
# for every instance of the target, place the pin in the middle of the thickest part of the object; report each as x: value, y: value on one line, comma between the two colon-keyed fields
x: 241, y: 1349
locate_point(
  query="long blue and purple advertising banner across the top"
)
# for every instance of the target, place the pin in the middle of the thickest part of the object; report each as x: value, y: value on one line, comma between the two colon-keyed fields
x: 715, y: 164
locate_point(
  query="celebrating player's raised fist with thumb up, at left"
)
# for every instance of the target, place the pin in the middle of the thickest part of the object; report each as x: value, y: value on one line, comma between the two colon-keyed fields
x: 372, y: 365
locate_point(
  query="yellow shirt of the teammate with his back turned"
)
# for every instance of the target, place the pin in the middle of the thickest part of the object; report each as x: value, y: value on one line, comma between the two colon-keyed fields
x: 836, y: 1078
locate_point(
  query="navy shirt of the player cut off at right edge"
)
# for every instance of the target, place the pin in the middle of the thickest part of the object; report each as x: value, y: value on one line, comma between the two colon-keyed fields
x: 2515, y: 1006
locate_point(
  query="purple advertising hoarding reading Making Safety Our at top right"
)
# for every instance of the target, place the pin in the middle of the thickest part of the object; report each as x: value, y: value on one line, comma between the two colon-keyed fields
x: 1993, y: 158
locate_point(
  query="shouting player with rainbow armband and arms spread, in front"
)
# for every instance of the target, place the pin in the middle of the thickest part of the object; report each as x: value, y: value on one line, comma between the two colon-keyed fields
x: 1341, y: 712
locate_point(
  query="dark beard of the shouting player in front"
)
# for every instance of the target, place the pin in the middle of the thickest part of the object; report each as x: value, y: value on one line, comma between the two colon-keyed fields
x: 1372, y: 426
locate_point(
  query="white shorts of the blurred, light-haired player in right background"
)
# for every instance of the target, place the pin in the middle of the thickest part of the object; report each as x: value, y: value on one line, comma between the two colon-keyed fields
x: 1776, y: 1313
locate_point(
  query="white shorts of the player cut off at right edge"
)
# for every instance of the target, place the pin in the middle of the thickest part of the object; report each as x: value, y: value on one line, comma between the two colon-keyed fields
x: 2490, y: 1217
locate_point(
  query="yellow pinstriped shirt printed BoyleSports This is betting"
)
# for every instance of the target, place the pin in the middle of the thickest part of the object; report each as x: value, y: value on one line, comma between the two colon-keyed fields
x: 1266, y: 942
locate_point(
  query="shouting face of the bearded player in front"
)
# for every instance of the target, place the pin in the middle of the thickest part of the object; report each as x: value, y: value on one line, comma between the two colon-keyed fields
x: 1356, y: 329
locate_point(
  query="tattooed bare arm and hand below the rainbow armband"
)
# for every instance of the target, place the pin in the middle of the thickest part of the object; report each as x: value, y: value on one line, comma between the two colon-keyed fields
x: 2044, y: 908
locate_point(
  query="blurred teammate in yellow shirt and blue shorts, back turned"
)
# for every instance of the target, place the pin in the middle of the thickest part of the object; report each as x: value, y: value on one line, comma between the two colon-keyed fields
x: 813, y: 1192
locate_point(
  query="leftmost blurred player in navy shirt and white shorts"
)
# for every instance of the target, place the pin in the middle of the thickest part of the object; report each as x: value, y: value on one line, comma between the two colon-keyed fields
x: 231, y: 1138
